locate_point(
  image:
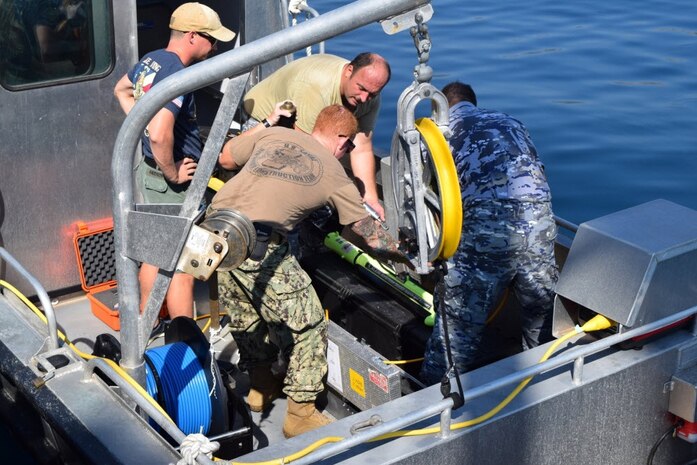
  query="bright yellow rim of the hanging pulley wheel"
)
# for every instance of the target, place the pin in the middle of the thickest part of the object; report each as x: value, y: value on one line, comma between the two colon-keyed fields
x: 448, y: 186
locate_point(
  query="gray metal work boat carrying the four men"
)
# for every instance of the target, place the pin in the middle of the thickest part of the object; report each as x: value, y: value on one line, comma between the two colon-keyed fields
x: 622, y: 394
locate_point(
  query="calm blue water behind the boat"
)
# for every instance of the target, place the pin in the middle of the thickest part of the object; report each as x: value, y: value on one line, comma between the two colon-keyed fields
x: 608, y: 90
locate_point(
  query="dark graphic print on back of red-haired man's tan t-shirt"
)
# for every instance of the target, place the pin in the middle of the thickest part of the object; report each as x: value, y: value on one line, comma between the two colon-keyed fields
x: 287, y: 161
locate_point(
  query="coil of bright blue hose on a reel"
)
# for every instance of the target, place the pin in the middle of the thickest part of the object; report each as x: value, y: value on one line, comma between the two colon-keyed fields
x: 179, y: 381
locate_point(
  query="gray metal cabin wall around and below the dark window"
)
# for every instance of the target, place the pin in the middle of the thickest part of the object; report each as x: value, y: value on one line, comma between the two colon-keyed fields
x: 55, y: 157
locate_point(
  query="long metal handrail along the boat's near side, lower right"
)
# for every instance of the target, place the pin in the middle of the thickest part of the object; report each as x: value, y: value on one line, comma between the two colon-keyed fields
x: 443, y: 407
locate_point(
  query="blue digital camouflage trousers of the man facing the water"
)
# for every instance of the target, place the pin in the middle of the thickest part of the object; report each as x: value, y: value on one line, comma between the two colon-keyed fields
x: 503, y: 243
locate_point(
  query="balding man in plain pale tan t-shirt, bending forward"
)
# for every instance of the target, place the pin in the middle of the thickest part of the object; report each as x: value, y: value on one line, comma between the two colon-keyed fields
x: 317, y: 81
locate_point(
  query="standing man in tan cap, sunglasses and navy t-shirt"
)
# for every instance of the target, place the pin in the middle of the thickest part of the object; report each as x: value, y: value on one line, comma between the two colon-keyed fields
x: 171, y: 141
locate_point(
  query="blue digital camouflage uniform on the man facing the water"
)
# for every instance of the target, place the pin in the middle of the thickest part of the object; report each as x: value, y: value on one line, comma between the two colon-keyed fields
x: 507, y: 238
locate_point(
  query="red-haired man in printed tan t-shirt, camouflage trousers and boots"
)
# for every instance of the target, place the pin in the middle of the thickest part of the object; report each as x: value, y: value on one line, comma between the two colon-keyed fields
x: 284, y: 176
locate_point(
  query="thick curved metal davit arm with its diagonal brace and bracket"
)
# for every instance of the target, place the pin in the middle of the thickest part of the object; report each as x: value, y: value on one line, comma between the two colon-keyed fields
x: 141, y: 236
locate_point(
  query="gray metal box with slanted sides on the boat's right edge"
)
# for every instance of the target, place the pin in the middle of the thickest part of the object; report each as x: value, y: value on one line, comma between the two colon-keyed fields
x: 635, y: 266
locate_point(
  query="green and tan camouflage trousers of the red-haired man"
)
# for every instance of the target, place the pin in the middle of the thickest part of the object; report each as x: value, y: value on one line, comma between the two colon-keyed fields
x: 273, y: 307
